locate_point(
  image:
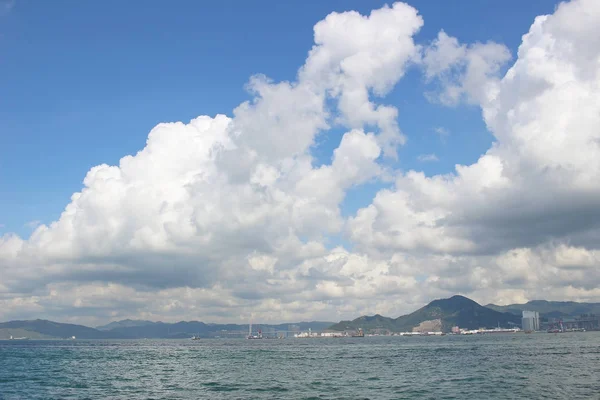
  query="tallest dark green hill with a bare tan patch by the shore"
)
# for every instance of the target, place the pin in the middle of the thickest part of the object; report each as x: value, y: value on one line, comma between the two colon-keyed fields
x: 439, y: 315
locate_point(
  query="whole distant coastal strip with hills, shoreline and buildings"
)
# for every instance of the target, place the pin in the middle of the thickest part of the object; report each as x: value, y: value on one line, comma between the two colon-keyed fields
x: 457, y: 315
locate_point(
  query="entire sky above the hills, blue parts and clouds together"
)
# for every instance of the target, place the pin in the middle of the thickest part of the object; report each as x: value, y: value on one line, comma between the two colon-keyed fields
x: 287, y: 161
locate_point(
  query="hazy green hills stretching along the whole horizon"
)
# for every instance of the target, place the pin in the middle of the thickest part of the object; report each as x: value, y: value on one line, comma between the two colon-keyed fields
x: 440, y: 315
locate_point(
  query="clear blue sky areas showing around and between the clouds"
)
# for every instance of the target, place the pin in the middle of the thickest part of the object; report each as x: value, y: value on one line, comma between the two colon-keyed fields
x: 82, y: 83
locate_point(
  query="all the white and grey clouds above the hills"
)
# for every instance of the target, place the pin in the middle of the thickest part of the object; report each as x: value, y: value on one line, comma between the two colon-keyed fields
x: 227, y: 218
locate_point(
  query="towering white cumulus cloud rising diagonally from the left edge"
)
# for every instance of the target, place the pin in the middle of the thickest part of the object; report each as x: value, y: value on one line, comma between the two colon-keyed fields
x: 234, y: 205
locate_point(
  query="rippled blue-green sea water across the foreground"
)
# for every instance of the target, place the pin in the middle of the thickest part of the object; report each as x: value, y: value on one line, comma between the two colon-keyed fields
x: 500, y: 366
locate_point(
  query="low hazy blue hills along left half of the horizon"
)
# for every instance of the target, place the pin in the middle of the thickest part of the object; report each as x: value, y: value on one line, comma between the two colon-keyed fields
x: 138, y: 329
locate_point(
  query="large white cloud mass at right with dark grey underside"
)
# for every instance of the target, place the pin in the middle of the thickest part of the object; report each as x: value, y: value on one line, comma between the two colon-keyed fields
x: 537, y: 187
